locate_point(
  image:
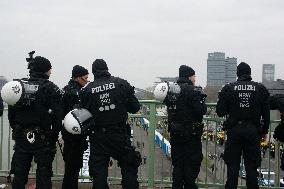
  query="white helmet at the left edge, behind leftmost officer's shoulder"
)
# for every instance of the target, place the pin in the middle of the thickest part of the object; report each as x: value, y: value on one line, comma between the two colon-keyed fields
x: 11, y: 92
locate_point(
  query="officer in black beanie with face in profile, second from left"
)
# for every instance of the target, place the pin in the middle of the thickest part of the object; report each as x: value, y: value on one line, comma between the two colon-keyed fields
x: 74, y: 145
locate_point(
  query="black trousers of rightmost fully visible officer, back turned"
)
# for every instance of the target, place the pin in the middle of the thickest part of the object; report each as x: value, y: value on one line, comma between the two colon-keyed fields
x: 242, y: 140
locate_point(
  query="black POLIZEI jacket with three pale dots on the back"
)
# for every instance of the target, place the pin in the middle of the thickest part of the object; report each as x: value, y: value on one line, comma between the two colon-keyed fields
x: 109, y: 99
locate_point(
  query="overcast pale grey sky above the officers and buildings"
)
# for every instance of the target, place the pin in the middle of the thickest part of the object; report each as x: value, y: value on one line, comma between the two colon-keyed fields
x: 140, y: 40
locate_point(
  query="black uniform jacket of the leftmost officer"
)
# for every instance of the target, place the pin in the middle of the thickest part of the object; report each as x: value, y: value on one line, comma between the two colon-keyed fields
x: 49, y: 117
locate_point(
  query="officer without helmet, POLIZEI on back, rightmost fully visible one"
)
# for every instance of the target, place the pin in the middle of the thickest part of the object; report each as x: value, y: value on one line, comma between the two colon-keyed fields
x: 247, y: 105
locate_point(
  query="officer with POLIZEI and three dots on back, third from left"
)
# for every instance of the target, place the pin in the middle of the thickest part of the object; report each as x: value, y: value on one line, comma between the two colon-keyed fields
x: 109, y: 99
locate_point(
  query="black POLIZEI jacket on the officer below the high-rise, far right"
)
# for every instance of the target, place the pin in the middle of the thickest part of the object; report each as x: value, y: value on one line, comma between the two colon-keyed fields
x: 245, y: 100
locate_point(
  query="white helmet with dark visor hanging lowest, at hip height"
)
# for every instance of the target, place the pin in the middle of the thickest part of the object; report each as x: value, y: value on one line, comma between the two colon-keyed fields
x: 78, y: 121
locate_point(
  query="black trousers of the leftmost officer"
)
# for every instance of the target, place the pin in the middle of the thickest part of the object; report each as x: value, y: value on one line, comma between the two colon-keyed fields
x: 21, y: 163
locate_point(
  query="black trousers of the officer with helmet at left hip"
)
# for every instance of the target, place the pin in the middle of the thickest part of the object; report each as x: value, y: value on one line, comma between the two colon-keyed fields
x: 106, y: 145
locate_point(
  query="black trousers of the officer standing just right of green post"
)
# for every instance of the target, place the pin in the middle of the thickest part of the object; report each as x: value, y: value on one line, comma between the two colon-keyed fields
x: 186, y: 153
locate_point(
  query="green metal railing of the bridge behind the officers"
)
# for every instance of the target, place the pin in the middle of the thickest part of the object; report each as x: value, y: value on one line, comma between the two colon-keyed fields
x: 151, y: 139
